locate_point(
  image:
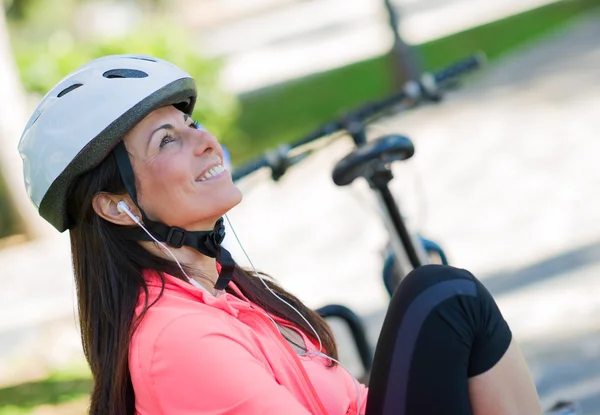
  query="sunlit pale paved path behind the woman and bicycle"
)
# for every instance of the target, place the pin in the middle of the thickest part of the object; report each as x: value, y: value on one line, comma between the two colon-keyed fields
x: 505, y: 177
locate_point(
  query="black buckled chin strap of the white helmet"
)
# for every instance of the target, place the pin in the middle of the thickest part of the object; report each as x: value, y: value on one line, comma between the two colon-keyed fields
x: 205, y: 242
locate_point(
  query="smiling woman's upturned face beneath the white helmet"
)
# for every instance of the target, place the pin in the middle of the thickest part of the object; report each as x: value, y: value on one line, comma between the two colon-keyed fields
x: 172, y: 161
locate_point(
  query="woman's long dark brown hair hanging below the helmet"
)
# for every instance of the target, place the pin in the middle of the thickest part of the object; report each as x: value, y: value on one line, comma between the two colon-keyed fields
x: 108, y: 276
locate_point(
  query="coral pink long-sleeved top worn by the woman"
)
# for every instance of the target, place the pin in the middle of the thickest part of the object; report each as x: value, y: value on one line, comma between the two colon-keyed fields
x: 198, y: 354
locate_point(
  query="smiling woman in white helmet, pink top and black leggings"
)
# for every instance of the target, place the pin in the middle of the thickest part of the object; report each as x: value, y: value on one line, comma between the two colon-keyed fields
x: 169, y: 323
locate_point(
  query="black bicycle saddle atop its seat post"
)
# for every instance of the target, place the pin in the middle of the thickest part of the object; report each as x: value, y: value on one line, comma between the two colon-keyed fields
x: 361, y: 161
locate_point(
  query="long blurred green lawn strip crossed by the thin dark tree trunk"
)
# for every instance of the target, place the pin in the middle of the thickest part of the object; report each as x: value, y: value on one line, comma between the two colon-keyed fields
x: 283, y: 113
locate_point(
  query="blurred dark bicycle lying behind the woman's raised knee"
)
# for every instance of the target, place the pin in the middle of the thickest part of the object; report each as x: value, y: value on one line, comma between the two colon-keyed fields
x: 372, y: 161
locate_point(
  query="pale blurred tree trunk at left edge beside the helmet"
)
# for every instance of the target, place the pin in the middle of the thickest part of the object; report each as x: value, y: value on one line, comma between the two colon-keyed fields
x: 13, y: 117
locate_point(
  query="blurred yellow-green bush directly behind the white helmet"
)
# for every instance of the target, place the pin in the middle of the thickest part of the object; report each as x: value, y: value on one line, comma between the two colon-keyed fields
x: 43, y: 64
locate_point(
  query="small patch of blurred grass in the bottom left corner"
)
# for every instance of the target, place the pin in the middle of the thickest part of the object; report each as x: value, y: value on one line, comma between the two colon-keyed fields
x: 62, y: 388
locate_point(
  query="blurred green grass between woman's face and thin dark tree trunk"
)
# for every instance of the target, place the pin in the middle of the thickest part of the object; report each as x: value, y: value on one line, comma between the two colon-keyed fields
x: 281, y: 113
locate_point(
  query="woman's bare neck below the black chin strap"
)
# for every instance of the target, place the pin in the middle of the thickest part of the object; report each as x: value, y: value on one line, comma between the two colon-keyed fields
x: 203, y: 268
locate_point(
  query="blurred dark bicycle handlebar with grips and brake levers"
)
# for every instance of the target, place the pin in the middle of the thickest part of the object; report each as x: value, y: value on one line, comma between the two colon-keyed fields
x: 427, y: 88
